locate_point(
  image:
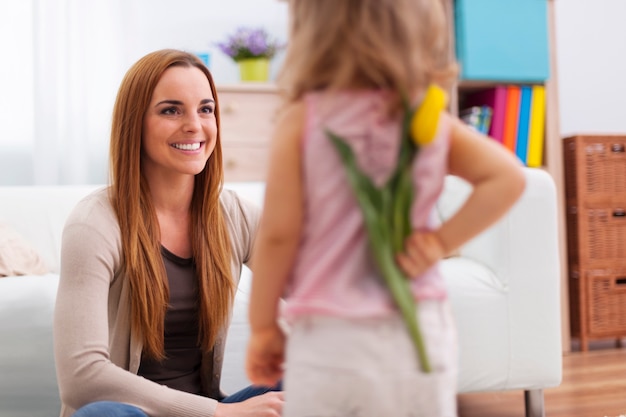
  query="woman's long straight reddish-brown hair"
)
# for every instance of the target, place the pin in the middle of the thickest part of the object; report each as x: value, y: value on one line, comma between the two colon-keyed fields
x: 139, y: 228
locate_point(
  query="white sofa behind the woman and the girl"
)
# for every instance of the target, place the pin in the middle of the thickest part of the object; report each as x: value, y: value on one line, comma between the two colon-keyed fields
x: 504, y: 289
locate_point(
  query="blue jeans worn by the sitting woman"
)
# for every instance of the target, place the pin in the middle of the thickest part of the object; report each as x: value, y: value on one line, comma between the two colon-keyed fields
x: 115, y: 409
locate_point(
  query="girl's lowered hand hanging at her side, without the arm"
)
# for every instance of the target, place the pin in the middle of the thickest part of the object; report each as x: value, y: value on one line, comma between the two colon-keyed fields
x: 266, y: 354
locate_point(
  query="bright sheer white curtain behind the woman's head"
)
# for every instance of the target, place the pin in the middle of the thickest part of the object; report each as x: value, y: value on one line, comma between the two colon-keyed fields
x: 81, y: 51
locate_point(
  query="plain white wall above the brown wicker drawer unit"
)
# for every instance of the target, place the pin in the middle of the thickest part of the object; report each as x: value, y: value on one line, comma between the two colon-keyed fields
x: 591, y: 65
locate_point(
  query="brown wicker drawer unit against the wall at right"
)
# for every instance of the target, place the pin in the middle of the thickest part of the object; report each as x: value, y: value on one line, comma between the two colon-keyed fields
x: 595, y: 185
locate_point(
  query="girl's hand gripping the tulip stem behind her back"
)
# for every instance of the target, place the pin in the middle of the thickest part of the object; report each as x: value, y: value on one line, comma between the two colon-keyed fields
x: 421, y: 251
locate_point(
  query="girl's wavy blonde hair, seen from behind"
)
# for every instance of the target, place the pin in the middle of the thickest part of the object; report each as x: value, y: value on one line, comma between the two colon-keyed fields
x: 400, y: 45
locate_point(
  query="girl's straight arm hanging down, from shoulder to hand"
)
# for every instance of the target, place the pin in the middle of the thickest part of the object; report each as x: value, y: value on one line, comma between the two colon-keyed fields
x: 276, y: 246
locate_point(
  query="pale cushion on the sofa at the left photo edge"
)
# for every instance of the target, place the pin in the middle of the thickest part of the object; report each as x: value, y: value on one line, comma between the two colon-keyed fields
x: 17, y: 257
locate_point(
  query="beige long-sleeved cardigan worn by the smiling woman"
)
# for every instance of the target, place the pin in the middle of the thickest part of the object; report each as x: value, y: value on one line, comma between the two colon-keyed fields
x: 93, y: 344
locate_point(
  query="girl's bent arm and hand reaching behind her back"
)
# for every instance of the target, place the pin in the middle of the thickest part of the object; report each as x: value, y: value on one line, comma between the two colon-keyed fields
x: 497, y: 179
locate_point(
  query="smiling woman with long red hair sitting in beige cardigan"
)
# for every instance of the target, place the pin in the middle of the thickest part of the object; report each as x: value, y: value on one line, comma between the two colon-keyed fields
x: 153, y: 261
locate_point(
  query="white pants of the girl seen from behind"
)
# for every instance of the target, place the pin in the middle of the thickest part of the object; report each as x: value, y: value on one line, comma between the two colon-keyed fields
x: 369, y: 368
